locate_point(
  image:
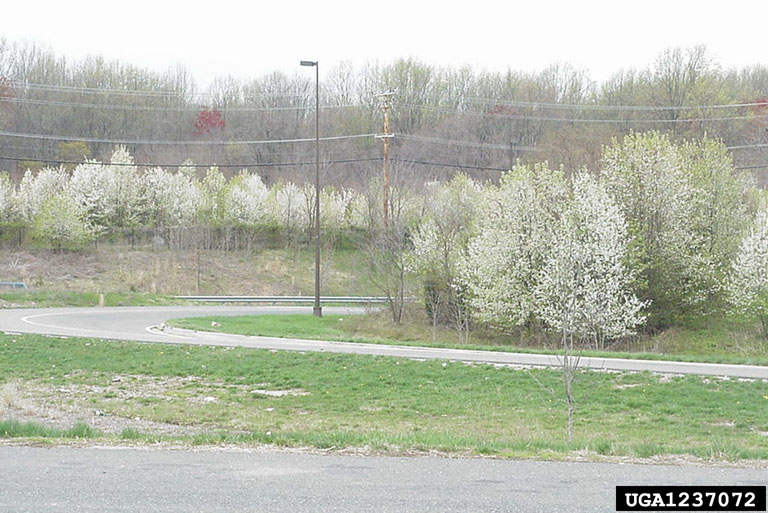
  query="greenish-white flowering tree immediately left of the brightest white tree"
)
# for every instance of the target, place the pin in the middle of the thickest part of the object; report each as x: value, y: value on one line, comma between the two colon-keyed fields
x: 515, y: 230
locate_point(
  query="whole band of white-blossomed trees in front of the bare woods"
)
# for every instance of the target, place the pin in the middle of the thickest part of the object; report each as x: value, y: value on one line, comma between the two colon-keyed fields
x: 661, y: 231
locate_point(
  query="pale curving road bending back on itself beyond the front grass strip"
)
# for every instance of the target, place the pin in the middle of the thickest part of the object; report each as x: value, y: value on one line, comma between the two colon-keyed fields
x: 140, y: 323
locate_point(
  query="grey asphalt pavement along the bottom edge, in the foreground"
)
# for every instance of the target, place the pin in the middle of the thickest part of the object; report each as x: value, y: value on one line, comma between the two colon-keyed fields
x: 133, y: 480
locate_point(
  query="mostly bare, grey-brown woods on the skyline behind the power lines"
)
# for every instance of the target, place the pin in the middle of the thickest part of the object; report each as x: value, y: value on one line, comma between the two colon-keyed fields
x: 443, y: 119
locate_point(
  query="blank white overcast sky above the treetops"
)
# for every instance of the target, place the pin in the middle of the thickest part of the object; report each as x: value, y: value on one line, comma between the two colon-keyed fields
x: 249, y: 39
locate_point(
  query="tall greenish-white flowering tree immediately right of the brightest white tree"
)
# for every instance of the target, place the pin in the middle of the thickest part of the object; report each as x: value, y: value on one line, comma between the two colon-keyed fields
x: 648, y: 176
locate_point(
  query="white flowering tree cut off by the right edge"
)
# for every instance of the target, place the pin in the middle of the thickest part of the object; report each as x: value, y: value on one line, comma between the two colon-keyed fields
x: 748, y: 286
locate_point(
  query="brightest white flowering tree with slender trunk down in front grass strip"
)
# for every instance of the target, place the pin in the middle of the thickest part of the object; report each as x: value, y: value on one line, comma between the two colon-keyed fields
x: 583, y: 290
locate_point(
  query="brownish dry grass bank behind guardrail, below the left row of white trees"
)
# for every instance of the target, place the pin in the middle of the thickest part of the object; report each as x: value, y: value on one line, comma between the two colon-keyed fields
x: 121, y: 268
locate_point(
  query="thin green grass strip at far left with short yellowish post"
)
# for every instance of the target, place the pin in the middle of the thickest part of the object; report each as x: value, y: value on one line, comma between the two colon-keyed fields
x: 56, y: 298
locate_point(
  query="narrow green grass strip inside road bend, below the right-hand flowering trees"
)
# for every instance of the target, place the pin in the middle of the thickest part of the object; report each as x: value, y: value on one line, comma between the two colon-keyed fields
x: 714, y: 341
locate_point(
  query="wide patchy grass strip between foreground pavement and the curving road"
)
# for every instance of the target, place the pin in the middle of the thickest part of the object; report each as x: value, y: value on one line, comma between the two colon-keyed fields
x: 248, y: 396
